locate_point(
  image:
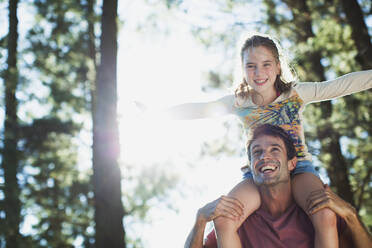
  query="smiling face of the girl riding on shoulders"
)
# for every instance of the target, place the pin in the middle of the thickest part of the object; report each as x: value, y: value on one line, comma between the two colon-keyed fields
x: 260, y: 69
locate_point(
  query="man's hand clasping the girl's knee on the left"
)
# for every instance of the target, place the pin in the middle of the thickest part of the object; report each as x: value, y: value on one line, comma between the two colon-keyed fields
x: 224, y: 206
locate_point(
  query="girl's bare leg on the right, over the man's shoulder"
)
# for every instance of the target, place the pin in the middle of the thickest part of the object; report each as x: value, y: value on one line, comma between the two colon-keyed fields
x: 324, y: 221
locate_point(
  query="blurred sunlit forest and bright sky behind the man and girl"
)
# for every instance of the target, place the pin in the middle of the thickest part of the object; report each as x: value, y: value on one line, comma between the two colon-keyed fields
x: 82, y: 166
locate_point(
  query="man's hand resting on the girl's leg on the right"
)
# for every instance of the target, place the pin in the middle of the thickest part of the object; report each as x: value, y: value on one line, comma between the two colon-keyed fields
x: 328, y: 199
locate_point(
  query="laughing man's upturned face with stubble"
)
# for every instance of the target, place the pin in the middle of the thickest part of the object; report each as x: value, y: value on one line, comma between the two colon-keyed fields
x: 269, y: 163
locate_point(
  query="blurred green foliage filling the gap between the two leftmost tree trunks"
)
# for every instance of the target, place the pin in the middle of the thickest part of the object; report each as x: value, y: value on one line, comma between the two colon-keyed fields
x: 53, y: 190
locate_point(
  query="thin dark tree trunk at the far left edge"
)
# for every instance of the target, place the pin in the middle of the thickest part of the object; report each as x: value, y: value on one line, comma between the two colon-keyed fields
x: 10, y: 158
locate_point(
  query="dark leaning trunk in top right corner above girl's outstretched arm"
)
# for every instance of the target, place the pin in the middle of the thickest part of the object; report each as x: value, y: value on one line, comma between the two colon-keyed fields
x: 354, y: 16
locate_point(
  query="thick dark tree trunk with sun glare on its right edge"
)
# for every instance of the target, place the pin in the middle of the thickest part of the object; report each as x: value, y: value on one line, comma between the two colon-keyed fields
x: 106, y: 173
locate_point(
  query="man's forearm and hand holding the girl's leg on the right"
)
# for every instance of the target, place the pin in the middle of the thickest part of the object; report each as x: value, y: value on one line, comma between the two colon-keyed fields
x: 356, y: 232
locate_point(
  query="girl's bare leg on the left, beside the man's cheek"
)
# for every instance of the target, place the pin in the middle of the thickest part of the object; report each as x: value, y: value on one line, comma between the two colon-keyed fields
x: 226, y: 229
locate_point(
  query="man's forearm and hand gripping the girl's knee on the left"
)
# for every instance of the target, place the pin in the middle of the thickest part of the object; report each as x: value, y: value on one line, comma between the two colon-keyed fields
x: 223, y: 206
